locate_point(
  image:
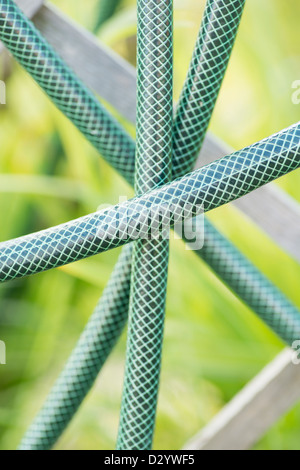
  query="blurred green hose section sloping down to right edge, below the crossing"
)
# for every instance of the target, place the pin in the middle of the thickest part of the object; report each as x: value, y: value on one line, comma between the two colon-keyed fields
x: 235, y: 270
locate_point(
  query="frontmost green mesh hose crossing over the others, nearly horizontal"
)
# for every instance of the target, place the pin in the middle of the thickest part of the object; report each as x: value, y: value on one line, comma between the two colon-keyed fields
x: 205, y: 189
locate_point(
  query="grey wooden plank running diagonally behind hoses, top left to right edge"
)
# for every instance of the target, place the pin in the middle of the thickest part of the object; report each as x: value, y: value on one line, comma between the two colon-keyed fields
x: 115, y: 81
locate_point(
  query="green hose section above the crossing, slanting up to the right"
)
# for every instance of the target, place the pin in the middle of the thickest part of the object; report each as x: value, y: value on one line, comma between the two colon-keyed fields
x: 205, y: 76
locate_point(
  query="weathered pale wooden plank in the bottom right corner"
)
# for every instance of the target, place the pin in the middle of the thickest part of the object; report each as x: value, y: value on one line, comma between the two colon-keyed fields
x: 254, y: 410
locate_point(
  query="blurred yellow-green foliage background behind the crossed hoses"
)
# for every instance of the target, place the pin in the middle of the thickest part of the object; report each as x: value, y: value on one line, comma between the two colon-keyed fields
x: 49, y: 174
